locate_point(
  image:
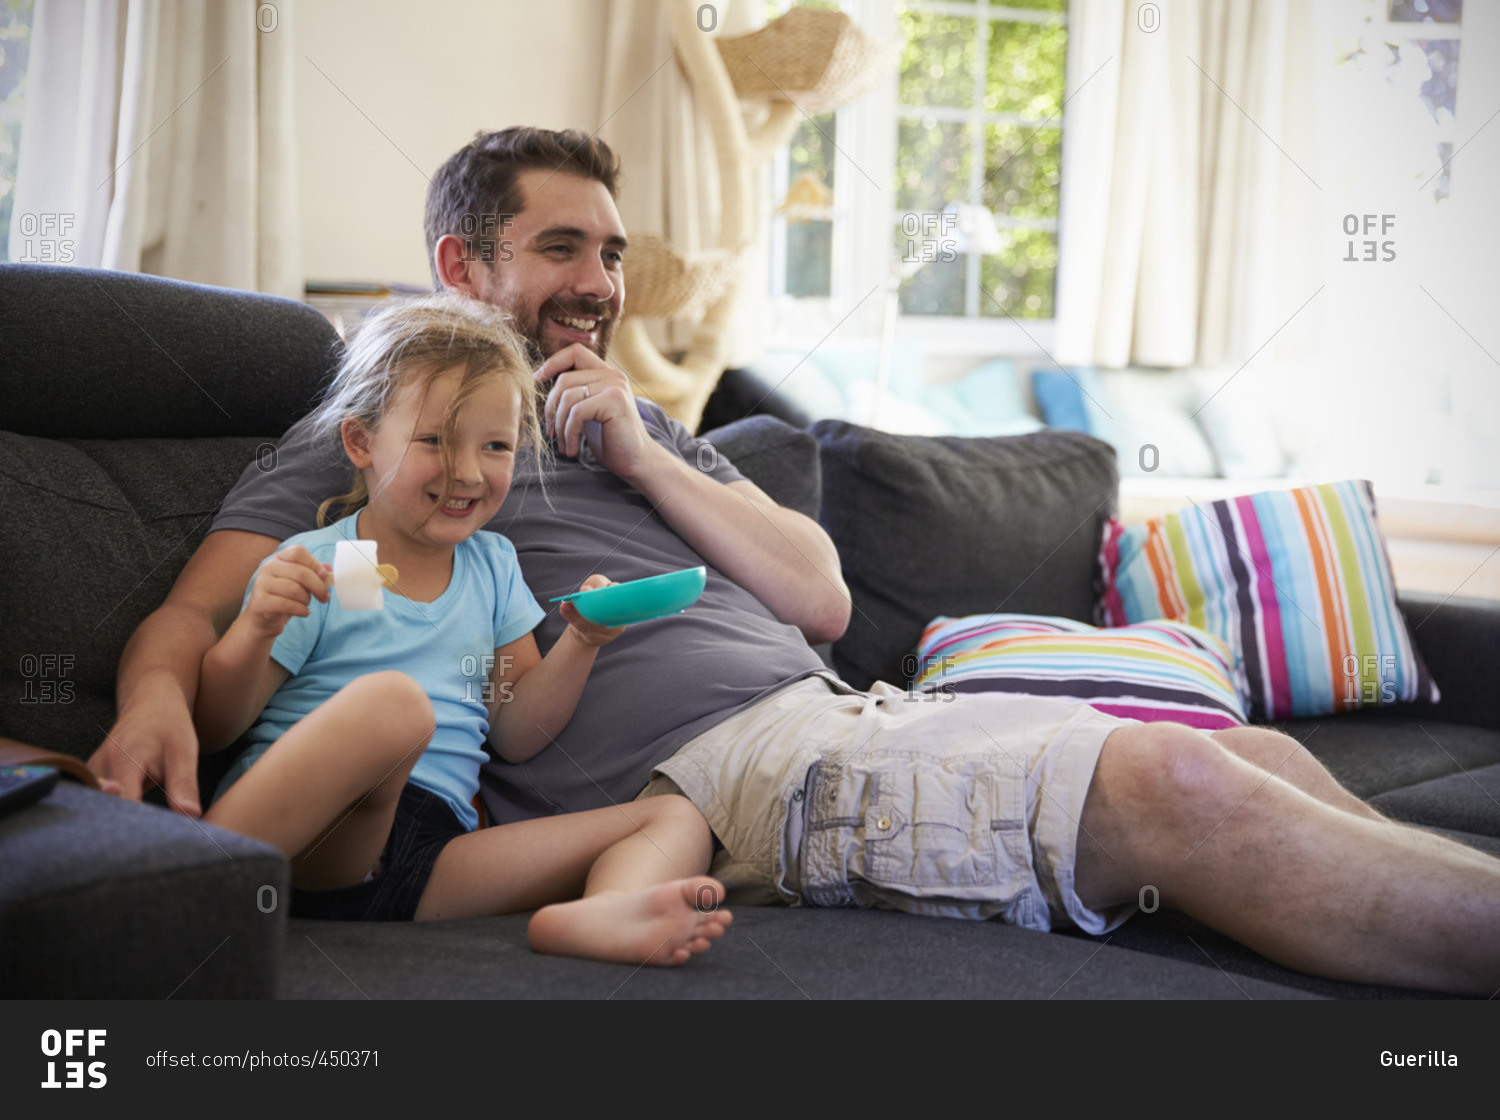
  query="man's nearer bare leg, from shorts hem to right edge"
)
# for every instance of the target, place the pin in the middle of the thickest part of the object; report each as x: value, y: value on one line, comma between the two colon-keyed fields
x: 1309, y: 885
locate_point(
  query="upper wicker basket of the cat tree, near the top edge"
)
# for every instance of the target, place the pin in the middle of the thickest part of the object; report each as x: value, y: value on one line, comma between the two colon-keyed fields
x: 814, y: 58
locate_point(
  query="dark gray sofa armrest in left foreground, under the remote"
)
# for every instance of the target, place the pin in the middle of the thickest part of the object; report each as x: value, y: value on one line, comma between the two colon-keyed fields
x: 112, y: 899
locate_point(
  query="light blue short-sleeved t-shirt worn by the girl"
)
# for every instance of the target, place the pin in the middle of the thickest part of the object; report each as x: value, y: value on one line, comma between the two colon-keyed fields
x: 448, y: 647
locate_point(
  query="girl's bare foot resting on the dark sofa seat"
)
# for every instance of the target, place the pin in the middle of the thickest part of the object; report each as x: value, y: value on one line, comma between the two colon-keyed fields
x: 665, y: 924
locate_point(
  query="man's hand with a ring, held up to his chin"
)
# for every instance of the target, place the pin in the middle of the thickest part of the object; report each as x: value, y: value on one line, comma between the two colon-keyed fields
x: 586, y: 391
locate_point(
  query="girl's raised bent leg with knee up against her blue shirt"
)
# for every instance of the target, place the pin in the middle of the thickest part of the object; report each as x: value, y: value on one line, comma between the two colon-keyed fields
x: 326, y: 792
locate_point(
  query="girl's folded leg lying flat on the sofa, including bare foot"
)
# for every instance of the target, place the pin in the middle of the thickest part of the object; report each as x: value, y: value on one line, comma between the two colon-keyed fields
x: 638, y: 866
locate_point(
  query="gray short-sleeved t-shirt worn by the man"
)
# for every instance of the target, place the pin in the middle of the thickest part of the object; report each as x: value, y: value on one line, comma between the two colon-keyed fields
x: 656, y: 686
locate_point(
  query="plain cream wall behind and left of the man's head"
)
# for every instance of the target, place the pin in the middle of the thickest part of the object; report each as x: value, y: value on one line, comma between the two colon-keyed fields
x: 388, y: 91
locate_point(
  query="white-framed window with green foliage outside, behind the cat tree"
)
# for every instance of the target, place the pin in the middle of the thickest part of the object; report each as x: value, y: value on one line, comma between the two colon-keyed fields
x: 974, y: 118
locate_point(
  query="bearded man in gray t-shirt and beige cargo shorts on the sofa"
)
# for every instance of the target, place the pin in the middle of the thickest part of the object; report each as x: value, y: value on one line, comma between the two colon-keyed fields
x: 1034, y: 810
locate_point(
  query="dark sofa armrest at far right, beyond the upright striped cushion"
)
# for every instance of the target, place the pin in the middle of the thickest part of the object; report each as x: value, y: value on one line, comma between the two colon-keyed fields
x: 1460, y: 641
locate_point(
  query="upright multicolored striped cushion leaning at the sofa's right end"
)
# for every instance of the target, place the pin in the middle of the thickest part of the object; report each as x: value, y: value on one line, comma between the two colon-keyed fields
x: 1297, y: 582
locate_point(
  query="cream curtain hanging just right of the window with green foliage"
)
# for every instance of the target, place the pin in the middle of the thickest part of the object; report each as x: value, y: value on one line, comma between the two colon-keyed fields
x: 1190, y: 193
